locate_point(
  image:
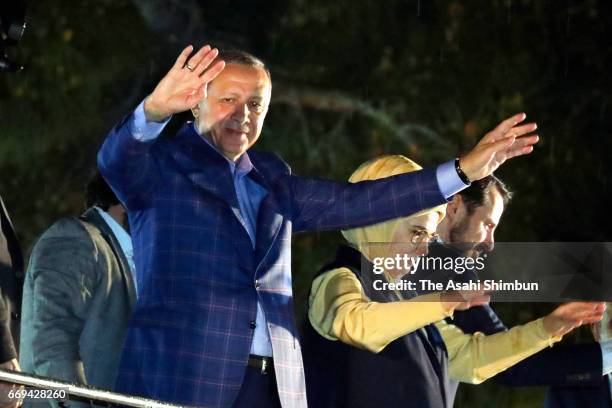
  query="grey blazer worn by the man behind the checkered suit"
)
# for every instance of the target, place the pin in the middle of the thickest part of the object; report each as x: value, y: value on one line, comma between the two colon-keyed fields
x: 77, y: 299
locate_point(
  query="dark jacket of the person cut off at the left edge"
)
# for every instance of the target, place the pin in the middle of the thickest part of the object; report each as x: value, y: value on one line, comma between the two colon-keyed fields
x: 11, y: 283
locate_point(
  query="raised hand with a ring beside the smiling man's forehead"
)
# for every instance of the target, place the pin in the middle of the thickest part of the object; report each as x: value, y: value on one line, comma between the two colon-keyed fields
x: 184, y: 85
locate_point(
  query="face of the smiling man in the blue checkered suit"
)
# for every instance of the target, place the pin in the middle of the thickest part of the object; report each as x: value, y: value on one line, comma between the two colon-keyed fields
x: 233, y: 113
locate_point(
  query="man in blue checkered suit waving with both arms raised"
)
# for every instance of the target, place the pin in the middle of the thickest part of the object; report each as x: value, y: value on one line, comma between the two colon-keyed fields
x: 212, y: 221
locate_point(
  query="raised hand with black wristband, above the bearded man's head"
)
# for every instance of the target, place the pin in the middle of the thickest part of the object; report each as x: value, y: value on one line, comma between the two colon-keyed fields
x: 509, y: 139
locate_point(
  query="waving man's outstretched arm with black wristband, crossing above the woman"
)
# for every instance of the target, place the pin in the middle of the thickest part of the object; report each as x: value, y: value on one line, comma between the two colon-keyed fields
x: 321, y: 205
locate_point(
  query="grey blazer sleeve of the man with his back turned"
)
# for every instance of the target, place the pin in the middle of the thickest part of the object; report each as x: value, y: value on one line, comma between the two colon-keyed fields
x: 64, y: 280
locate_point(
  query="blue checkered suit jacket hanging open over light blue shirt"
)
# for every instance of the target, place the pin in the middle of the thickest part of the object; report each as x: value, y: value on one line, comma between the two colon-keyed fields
x: 199, y: 277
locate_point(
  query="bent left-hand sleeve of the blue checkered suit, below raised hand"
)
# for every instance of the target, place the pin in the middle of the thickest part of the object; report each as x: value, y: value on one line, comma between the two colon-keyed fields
x: 128, y: 165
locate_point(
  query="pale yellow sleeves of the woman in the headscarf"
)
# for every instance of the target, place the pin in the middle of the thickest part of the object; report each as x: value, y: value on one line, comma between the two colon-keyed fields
x: 339, y: 310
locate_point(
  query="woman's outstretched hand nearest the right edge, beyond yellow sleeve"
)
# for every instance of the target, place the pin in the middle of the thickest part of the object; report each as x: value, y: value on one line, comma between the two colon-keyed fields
x: 568, y: 316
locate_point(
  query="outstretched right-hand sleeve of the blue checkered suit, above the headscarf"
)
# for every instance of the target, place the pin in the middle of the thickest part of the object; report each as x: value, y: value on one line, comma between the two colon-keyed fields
x: 326, y: 205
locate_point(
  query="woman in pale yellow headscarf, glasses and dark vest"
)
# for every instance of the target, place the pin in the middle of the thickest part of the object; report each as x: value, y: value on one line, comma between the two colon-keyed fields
x: 366, y: 347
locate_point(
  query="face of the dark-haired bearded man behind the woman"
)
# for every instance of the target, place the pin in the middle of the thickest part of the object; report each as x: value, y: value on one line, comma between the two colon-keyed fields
x: 478, y: 228
